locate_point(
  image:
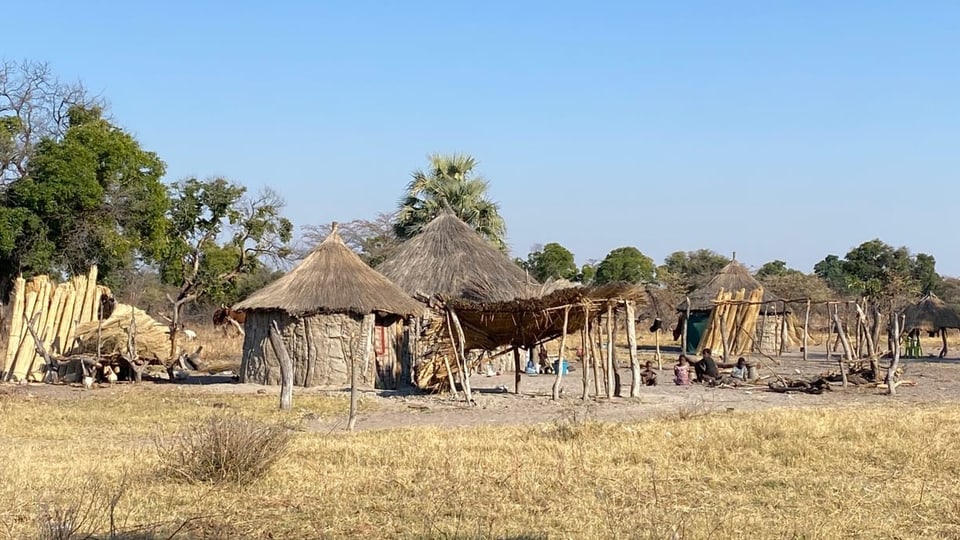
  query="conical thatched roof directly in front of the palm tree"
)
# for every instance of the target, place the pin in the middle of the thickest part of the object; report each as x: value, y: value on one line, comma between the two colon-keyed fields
x: 449, y: 258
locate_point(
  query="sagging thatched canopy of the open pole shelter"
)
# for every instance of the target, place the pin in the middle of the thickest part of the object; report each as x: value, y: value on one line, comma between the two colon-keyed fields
x: 525, y: 322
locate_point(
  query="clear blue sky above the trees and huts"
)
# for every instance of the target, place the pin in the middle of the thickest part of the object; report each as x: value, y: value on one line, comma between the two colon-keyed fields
x: 779, y: 130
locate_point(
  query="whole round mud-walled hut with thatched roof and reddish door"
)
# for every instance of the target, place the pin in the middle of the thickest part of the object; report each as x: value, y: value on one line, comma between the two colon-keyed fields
x: 320, y: 308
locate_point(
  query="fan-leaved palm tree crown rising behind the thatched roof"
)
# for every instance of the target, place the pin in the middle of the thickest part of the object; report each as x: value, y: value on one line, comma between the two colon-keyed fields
x: 449, y: 182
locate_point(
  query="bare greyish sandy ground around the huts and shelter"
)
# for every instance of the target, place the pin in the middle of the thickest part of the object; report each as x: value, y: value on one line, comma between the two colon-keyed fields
x: 937, y: 381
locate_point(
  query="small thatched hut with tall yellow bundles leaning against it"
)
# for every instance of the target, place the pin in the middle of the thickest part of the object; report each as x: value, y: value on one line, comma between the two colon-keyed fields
x: 757, y: 322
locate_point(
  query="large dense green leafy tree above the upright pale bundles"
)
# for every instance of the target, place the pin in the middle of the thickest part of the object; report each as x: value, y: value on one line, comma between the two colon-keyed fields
x: 92, y: 197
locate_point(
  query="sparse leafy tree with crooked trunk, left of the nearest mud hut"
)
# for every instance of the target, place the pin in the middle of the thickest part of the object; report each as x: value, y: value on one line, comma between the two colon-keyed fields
x: 201, y: 213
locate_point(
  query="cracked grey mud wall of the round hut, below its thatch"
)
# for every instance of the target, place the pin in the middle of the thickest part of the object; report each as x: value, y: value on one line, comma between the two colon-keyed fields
x: 314, y: 344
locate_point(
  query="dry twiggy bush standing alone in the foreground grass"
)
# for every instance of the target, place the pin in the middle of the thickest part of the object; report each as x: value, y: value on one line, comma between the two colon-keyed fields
x: 222, y: 449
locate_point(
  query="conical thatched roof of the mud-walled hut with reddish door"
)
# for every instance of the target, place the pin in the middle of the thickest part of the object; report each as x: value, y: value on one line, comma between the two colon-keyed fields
x: 332, y: 279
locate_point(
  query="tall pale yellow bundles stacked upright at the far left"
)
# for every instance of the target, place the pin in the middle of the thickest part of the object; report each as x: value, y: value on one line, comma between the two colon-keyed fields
x: 54, y: 311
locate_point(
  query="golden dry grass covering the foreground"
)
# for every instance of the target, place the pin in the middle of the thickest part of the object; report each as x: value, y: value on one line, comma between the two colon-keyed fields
x: 879, y: 471
